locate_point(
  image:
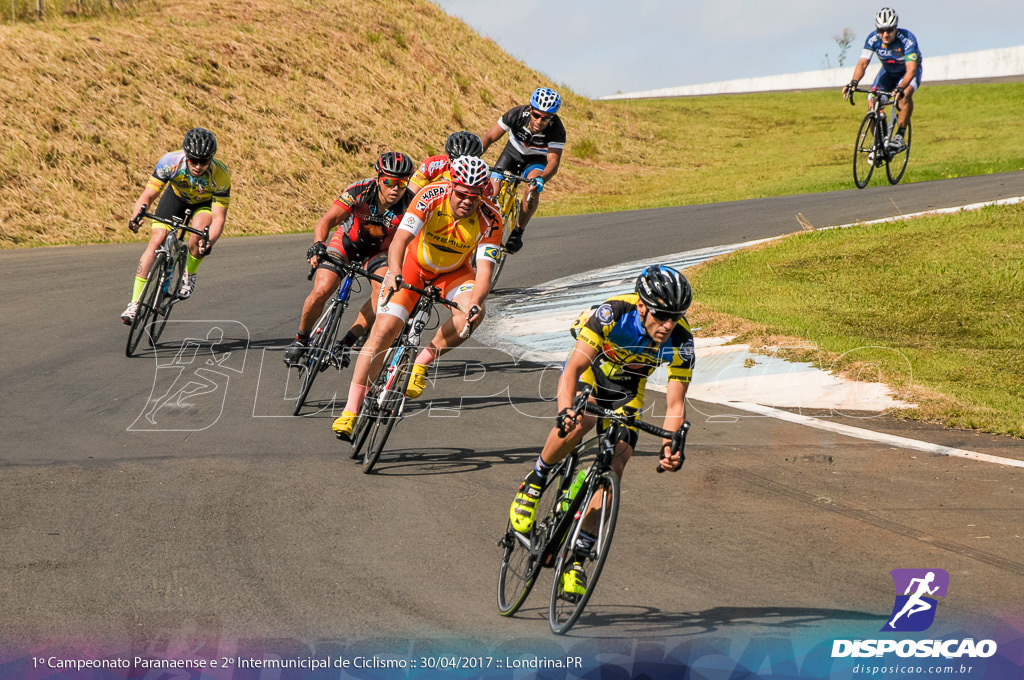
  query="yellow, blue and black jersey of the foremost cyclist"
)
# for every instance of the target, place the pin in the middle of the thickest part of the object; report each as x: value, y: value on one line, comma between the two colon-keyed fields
x: 627, y: 356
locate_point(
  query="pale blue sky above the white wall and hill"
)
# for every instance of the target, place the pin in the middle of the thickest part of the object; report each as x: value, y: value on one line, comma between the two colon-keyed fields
x: 600, y: 48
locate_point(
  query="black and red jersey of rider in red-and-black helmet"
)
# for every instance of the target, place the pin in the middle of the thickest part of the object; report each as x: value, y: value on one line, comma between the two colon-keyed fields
x: 371, y: 229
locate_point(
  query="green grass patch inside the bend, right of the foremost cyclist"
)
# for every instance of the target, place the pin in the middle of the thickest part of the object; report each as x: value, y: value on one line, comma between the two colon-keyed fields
x: 933, y: 307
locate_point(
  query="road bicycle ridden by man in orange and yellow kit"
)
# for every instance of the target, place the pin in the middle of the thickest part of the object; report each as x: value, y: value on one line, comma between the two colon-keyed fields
x: 386, y: 401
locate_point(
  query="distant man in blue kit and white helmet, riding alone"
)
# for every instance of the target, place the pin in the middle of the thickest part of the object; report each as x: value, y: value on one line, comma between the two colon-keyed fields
x: 903, y: 68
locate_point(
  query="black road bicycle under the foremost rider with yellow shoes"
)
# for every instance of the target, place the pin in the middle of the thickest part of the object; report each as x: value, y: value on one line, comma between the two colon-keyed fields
x: 551, y: 543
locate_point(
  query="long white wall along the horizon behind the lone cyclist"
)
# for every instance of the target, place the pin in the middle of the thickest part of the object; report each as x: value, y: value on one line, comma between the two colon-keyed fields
x: 987, y: 64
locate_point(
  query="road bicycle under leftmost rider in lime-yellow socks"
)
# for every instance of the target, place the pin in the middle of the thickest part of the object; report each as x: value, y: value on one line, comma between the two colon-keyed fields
x: 164, y: 280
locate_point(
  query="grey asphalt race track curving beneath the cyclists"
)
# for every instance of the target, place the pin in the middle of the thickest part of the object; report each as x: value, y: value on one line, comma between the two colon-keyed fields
x: 172, y: 500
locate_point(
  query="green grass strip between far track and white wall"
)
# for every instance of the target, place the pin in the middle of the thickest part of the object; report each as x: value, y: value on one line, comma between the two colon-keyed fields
x: 711, y: 149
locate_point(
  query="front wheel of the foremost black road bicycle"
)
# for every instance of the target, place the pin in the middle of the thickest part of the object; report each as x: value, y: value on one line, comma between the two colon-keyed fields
x: 566, y: 608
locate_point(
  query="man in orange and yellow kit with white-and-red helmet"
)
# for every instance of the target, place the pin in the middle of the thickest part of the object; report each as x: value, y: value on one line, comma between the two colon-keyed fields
x: 436, y: 242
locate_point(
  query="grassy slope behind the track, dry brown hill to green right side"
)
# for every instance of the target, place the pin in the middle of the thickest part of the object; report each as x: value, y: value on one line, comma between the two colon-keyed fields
x: 304, y: 96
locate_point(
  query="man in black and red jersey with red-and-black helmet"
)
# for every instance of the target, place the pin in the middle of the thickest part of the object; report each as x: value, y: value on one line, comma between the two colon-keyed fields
x: 369, y: 212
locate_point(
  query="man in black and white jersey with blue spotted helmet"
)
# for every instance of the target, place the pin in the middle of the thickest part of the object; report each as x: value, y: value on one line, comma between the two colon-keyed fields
x: 537, y: 139
